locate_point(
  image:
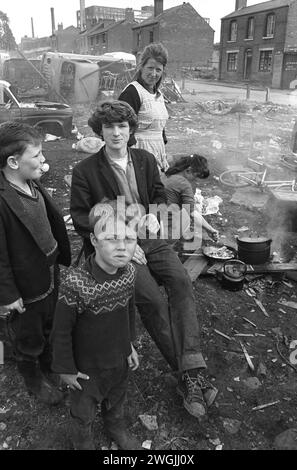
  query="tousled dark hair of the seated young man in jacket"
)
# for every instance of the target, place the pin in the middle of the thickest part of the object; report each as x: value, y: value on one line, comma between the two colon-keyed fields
x: 109, y: 112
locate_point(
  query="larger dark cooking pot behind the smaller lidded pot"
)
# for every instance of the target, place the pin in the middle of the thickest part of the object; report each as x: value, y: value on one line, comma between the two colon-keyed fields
x: 254, y: 250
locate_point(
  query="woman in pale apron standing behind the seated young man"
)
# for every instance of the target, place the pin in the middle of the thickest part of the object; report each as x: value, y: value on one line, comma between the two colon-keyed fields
x: 144, y: 96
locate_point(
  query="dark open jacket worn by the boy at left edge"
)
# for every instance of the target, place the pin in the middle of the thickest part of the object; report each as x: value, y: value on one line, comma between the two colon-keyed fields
x: 24, y: 271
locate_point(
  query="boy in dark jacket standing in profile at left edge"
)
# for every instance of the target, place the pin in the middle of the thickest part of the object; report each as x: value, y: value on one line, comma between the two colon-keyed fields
x: 33, y: 241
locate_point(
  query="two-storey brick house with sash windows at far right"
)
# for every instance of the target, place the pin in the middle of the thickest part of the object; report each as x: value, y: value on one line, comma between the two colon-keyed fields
x: 259, y: 44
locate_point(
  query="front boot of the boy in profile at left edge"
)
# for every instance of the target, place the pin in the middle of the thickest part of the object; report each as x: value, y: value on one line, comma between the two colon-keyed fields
x: 37, y: 384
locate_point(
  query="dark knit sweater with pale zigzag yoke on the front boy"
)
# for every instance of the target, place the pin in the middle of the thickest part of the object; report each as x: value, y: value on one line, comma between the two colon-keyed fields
x: 94, y: 319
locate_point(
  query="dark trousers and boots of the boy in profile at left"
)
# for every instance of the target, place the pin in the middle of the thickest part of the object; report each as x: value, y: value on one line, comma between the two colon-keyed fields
x: 29, y: 333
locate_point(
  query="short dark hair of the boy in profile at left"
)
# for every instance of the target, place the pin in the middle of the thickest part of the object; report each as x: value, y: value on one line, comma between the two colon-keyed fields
x: 15, y: 138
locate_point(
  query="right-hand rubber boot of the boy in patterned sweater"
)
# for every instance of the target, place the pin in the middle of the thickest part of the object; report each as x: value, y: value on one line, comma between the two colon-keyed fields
x: 116, y: 428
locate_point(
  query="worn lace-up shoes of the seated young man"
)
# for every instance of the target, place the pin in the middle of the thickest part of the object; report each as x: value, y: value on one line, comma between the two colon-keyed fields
x: 196, y: 392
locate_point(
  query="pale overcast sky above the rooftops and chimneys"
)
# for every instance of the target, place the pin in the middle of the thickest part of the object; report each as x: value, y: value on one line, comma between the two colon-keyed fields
x: 20, y: 12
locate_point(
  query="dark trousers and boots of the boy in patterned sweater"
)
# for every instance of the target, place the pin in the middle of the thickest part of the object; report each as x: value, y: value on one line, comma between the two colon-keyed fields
x: 108, y: 387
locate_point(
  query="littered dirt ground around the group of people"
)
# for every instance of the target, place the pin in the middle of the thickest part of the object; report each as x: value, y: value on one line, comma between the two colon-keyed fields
x: 211, y: 129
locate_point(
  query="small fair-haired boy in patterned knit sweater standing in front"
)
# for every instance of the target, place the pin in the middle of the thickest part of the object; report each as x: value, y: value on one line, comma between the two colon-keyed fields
x: 94, y: 329
